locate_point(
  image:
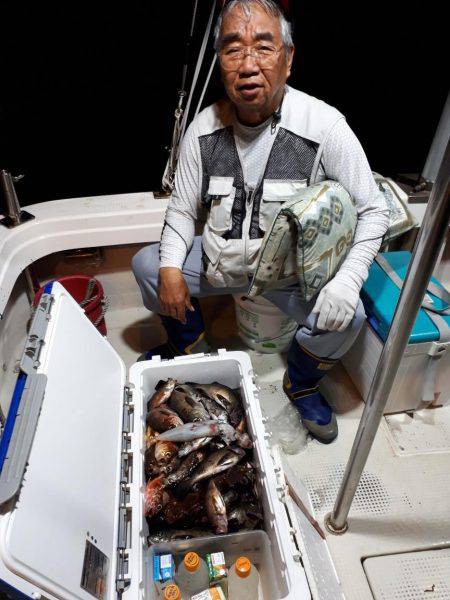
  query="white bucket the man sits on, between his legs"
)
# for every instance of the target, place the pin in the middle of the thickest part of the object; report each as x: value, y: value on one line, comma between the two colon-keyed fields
x: 262, y: 326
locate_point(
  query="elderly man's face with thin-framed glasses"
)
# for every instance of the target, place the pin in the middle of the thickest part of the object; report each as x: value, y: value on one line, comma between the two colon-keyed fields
x: 251, y: 86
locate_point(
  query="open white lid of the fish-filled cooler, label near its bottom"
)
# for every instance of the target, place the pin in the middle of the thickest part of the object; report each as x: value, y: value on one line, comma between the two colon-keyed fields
x: 61, y: 533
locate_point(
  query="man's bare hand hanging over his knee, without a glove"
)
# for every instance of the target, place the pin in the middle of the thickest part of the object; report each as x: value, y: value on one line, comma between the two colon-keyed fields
x: 173, y: 293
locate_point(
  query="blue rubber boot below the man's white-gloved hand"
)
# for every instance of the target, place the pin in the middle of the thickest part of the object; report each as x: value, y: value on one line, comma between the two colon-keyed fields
x: 300, y: 384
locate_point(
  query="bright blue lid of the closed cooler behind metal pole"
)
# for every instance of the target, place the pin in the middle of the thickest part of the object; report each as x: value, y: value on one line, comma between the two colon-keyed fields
x: 380, y: 296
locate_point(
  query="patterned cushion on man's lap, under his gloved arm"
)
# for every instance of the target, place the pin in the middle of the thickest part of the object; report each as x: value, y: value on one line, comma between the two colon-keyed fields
x: 308, y: 240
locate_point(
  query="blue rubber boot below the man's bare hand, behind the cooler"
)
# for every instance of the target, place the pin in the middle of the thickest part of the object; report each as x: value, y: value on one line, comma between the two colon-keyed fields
x: 188, y: 338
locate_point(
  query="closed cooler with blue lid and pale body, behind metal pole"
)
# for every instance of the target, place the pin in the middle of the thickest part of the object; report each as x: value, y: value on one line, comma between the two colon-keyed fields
x: 424, y: 373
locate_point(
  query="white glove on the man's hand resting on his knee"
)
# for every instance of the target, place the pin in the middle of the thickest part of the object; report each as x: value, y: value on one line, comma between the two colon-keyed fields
x: 336, y: 306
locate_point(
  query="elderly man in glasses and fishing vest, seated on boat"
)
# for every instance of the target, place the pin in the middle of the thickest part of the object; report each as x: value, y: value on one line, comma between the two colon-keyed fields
x: 238, y: 159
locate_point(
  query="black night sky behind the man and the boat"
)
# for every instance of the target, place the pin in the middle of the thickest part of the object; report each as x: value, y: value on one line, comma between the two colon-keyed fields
x: 88, y: 89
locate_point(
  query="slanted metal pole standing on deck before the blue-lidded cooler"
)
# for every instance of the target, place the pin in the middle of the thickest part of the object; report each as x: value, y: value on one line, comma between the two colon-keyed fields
x: 425, y: 253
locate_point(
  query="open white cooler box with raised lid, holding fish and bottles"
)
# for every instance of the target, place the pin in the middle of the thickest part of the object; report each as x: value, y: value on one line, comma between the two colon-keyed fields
x: 72, y: 476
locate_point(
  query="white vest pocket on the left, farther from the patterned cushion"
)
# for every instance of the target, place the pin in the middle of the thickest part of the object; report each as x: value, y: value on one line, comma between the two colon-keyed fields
x: 221, y: 195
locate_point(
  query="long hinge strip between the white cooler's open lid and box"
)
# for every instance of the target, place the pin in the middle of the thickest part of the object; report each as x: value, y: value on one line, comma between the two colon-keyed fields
x: 125, y: 510
